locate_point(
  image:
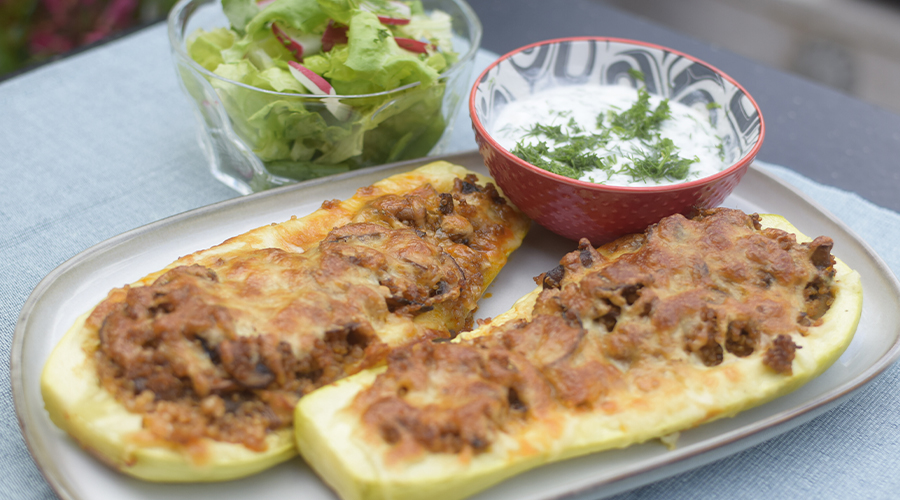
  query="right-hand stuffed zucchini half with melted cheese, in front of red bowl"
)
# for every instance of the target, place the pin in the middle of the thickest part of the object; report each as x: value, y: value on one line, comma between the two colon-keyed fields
x: 694, y: 320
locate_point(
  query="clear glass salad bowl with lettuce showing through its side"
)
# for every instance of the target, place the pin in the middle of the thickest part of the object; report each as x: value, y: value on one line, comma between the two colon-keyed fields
x: 255, y: 139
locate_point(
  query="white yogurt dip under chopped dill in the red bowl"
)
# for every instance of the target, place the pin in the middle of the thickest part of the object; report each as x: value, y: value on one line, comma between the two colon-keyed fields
x: 688, y: 128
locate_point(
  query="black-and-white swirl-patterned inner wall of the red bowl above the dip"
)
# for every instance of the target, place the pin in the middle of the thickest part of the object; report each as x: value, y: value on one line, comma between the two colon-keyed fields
x: 667, y: 74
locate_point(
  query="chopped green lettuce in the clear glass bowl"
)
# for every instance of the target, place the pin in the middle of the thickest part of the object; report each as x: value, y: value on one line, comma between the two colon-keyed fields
x: 300, y: 138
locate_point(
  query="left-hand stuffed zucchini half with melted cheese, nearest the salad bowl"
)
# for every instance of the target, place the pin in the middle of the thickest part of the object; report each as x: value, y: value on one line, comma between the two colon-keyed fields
x: 193, y: 372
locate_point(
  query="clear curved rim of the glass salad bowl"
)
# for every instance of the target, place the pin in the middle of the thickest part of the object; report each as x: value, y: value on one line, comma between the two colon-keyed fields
x: 176, y: 41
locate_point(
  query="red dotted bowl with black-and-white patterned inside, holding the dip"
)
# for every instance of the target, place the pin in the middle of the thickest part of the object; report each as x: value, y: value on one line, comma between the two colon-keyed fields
x: 578, y: 209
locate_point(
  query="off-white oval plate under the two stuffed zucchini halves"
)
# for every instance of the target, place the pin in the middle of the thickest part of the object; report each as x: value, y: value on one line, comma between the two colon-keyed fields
x: 84, y: 280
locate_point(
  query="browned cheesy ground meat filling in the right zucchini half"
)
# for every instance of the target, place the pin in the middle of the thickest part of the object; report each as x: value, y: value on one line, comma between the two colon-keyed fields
x: 697, y: 291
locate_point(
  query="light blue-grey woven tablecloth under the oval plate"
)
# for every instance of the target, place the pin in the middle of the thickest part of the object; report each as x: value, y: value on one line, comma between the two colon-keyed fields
x: 103, y: 142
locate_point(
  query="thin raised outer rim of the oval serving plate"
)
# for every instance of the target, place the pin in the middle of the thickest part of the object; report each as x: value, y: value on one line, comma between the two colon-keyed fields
x: 810, y: 409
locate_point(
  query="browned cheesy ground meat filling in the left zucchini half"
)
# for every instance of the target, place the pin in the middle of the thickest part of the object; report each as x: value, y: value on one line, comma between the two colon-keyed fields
x: 225, y: 351
